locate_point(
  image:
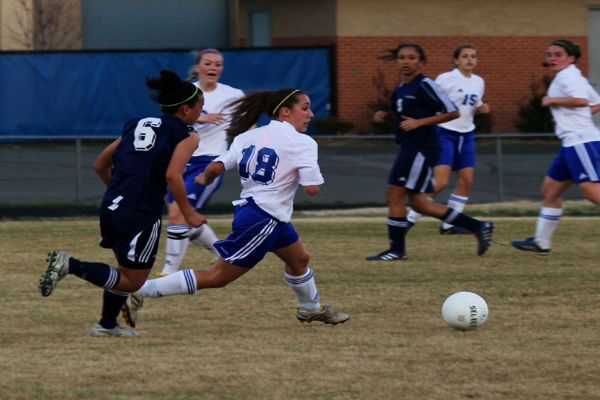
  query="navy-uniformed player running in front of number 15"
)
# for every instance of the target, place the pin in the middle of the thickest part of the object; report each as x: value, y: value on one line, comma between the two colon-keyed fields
x: 419, y: 105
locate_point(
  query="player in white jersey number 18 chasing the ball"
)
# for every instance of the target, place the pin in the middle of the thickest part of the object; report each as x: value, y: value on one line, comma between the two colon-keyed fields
x: 271, y: 161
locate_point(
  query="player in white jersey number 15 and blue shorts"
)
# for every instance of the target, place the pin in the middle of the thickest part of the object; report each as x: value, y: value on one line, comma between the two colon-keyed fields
x: 457, y: 138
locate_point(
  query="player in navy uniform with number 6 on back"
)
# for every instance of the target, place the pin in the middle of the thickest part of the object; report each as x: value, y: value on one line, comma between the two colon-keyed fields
x: 151, y: 153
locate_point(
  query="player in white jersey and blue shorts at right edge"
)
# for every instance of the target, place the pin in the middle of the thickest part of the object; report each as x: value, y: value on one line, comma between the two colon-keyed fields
x: 571, y: 100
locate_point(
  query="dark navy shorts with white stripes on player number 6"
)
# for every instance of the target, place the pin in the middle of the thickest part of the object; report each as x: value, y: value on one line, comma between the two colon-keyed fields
x: 132, y: 234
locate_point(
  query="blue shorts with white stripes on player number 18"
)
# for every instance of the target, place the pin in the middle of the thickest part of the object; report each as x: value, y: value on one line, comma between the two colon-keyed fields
x: 254, y: 233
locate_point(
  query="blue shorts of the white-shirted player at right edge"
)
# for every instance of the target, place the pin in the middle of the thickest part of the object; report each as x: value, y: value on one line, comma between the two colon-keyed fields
x: 579, y: 163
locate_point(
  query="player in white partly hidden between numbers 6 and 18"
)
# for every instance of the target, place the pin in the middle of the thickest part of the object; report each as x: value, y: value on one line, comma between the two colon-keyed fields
x: 211, y: 127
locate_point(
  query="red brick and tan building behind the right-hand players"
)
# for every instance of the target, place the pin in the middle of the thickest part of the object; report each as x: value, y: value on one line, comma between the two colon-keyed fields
x: 511, y: 37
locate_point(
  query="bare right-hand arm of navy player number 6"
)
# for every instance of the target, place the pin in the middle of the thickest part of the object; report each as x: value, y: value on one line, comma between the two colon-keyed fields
x: 174, y: 176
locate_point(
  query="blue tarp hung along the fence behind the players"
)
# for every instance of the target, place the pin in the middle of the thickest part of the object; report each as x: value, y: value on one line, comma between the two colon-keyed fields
x: 93, y: 93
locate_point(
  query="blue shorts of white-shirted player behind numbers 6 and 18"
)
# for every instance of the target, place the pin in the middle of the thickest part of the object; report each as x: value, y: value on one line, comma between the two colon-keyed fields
x: 198, y: 195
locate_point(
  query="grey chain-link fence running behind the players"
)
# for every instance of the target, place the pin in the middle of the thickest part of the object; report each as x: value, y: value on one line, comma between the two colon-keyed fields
x: 59, y: 172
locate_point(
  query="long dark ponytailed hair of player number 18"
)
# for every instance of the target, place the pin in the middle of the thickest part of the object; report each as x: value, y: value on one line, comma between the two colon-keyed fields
x: 247, y: 110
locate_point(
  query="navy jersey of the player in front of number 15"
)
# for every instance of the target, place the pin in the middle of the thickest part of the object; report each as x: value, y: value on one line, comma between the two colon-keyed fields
x: 420, y: 98
